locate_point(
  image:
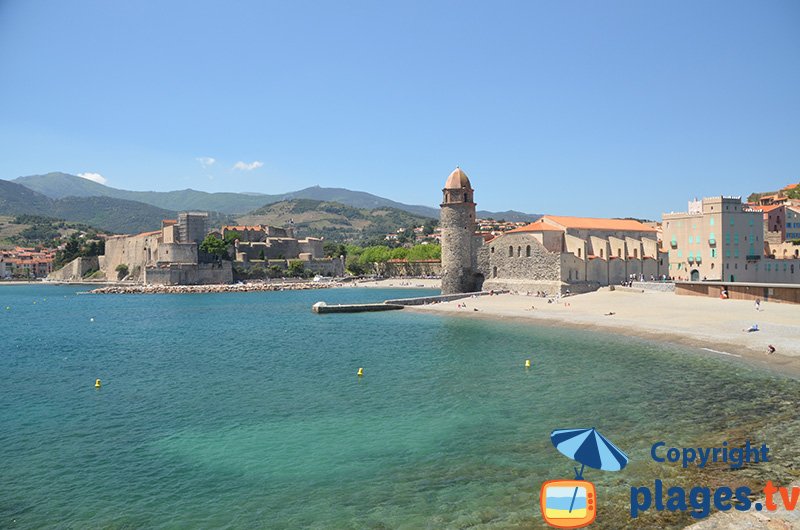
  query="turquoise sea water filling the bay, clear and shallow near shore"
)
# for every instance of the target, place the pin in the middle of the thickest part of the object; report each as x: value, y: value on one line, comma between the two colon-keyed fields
x: 244, y: 411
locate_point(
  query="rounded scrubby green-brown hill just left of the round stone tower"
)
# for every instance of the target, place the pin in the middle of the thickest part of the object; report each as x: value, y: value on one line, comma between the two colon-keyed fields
x: 333, y: 220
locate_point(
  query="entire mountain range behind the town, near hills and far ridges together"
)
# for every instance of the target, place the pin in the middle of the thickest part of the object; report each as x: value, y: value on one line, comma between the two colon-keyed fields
x: 332, y: 211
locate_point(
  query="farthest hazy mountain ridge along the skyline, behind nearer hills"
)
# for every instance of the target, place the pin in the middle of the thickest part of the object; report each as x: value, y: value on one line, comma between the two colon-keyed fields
x: 59, y: 185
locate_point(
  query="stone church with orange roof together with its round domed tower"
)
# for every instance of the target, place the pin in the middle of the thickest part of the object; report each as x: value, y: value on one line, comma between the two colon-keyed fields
x: 554, y: 255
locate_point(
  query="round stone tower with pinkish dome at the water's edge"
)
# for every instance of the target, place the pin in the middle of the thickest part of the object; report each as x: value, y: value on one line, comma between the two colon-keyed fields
x: 457, y: 222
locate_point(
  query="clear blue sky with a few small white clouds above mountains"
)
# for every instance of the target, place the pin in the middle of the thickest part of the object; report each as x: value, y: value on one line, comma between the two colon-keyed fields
x: 602, y: 108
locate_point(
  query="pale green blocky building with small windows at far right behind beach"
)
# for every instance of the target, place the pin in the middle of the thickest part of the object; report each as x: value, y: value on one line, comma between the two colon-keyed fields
x: 723, y: 239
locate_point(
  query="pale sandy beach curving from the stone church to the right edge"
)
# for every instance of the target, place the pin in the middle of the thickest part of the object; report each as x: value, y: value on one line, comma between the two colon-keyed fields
x: 713, y: 326
